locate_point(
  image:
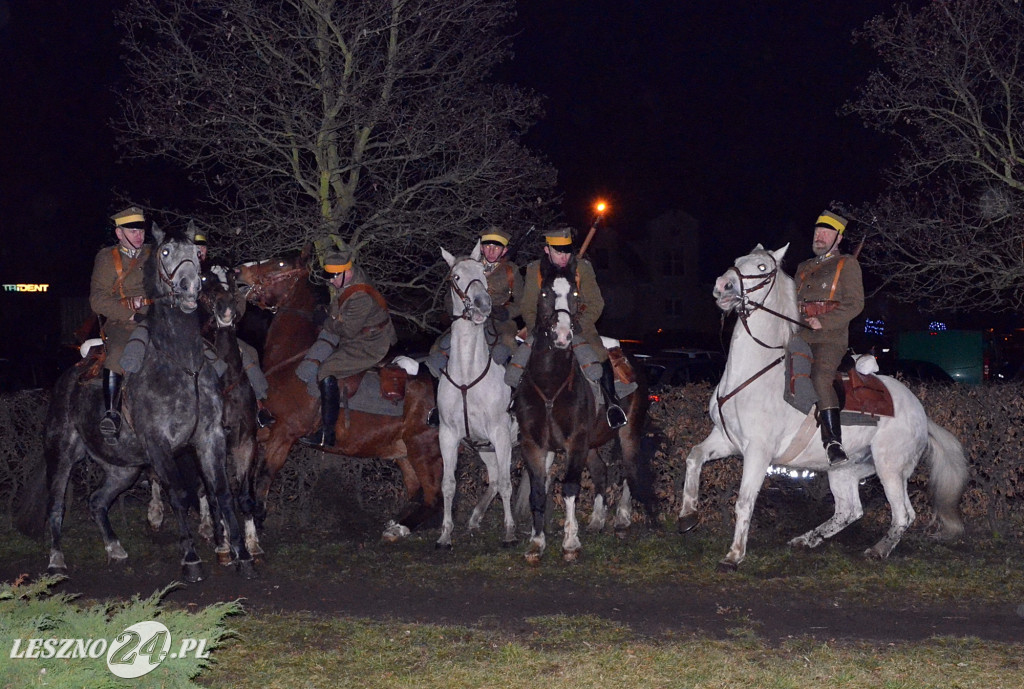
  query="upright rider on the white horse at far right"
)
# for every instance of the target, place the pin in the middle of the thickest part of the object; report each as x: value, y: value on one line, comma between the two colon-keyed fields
x: 831, y: 295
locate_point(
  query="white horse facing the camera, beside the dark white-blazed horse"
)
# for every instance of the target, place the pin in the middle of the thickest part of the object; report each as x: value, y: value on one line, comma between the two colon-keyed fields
x: 473, y: 398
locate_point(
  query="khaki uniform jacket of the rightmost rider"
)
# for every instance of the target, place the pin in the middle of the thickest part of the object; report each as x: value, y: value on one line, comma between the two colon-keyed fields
x: 816, y: 278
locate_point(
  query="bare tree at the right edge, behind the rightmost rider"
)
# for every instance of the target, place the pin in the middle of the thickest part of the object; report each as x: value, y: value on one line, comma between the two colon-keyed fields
x: 949, y: 231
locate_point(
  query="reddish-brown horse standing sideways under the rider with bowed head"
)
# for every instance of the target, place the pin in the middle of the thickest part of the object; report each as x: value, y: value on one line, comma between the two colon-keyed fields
x: 283, y: 286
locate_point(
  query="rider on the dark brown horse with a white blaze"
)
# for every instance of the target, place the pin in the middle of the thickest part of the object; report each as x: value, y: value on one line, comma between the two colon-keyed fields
x: 559, y: 249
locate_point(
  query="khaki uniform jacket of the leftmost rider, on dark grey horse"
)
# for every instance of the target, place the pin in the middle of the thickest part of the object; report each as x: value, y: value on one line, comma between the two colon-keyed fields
x: 110, y: 298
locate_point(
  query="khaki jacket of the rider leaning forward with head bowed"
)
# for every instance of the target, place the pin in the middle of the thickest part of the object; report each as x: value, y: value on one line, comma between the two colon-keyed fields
x: 365, y: 328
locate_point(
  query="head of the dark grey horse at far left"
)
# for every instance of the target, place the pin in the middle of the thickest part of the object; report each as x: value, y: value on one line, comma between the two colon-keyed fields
x: 174, y: 271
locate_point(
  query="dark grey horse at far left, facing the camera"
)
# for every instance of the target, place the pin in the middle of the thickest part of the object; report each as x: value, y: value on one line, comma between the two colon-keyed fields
x: 174, y: 411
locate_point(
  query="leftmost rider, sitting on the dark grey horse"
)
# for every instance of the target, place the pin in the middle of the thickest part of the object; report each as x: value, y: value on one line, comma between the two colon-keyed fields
x: 118, y: 297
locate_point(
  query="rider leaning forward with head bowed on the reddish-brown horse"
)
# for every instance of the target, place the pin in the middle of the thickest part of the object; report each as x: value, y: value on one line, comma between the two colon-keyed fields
x: 357, y: 335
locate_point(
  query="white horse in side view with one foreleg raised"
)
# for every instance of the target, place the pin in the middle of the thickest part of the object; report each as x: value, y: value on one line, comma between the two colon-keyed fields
x: 752, y: 419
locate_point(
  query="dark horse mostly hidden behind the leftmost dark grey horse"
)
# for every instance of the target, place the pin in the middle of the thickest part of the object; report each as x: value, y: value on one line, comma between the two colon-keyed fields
x: 221, y: 302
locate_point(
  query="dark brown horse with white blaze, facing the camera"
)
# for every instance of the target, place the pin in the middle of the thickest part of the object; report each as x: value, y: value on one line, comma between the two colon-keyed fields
x: 557, y: 410
